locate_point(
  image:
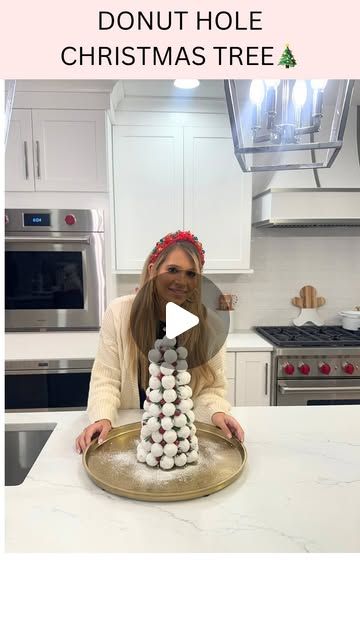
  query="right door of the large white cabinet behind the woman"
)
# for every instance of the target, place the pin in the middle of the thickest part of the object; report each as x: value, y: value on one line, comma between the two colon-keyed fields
x: 217, y: 199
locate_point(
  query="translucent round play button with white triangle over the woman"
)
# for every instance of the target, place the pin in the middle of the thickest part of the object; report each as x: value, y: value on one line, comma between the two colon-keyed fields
x: 187, y: 307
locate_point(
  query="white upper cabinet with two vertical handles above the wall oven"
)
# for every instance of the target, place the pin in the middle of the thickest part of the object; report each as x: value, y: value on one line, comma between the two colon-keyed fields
x: 66, y: 150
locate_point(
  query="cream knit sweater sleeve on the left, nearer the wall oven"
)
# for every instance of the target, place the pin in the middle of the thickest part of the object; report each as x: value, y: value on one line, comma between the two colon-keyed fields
x: 105, y: 383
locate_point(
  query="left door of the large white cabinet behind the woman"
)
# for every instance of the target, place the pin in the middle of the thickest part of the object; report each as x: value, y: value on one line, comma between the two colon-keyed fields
x: 148, y: 191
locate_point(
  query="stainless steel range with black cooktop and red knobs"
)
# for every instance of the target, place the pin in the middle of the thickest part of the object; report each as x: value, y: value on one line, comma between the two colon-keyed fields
x: 314, y: 365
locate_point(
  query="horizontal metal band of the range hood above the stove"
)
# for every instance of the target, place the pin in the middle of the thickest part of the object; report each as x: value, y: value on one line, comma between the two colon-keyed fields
x: 314, y: 207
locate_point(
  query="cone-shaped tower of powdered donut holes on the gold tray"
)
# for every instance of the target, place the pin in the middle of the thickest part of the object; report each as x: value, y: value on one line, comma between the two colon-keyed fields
x: 168, y: 433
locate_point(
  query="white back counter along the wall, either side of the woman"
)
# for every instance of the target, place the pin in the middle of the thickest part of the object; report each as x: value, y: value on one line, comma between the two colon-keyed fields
x: 54, y: 345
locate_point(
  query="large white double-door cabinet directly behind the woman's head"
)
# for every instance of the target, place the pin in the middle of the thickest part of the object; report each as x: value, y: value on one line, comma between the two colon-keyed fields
x: 179, y: 177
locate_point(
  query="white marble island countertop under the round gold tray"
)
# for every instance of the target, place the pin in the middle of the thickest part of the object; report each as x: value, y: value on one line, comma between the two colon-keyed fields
x: 299, y: 492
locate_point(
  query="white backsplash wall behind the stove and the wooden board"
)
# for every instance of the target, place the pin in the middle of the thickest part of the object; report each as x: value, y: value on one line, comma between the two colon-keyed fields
x: 284, y: 260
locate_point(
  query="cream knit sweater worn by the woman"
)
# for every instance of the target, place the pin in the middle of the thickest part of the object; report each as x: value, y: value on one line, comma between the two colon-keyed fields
x: 113, y: 386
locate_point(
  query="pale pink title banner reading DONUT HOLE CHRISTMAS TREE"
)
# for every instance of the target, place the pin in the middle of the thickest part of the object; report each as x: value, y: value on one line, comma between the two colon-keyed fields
x: 148, y: 39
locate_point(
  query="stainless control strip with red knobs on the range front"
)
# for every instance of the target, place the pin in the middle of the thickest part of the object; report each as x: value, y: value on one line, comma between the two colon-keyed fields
x: 320, y: 366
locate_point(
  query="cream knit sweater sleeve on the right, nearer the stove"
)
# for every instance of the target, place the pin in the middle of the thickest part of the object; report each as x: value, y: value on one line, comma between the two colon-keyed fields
x: 212, y: 399
